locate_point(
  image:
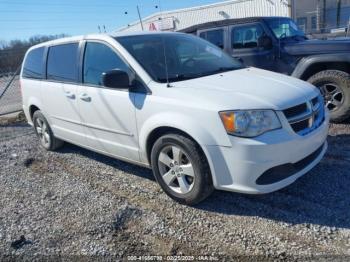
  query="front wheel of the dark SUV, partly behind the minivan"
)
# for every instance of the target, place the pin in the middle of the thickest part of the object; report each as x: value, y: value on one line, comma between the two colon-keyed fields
x: 335, y: 88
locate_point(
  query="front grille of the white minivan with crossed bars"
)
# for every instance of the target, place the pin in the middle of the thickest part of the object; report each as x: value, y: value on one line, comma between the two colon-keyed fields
x: 306, y: 117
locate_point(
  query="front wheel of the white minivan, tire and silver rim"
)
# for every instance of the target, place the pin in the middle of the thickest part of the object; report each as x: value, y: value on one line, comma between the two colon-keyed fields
x: 197, y: 181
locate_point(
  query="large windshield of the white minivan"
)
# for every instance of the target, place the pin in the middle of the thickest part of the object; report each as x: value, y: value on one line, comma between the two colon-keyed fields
x: 186, y: 56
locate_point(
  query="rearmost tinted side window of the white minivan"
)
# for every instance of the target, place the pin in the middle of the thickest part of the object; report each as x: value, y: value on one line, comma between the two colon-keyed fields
x: 34, y: 64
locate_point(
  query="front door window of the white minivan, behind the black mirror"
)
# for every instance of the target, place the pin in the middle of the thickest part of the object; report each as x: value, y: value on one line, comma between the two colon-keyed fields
x: 99, y: 59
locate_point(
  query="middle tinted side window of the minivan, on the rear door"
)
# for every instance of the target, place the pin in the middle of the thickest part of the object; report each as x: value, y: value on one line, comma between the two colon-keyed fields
x: 62, y: 63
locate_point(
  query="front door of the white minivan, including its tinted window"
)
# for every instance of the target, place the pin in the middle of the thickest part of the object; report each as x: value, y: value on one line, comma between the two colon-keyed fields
x: 108, y: 113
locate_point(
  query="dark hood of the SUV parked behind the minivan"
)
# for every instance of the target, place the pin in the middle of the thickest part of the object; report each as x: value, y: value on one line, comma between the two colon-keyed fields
x: 310, y: 47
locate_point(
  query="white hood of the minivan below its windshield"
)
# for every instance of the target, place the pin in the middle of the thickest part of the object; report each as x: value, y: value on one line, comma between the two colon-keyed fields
x: 249, y: 88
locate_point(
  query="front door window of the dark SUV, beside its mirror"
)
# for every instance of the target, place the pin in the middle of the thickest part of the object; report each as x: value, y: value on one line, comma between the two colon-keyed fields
x: 246, y: 36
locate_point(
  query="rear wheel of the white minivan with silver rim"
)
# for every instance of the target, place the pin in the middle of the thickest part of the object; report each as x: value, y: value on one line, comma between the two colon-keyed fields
x: 44, y: 132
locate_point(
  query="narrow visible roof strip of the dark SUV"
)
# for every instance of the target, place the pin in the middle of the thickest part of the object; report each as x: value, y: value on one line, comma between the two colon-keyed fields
x: 226, y: 22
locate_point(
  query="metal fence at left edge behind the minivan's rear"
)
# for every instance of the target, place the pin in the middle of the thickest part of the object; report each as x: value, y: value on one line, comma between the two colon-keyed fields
x: 10, y: 93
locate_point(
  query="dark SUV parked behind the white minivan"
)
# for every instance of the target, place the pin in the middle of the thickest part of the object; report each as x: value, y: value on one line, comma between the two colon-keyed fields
x: 276, y: 44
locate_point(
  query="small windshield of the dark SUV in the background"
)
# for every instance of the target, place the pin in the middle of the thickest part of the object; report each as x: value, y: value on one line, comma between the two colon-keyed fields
x: 285, y: 28
